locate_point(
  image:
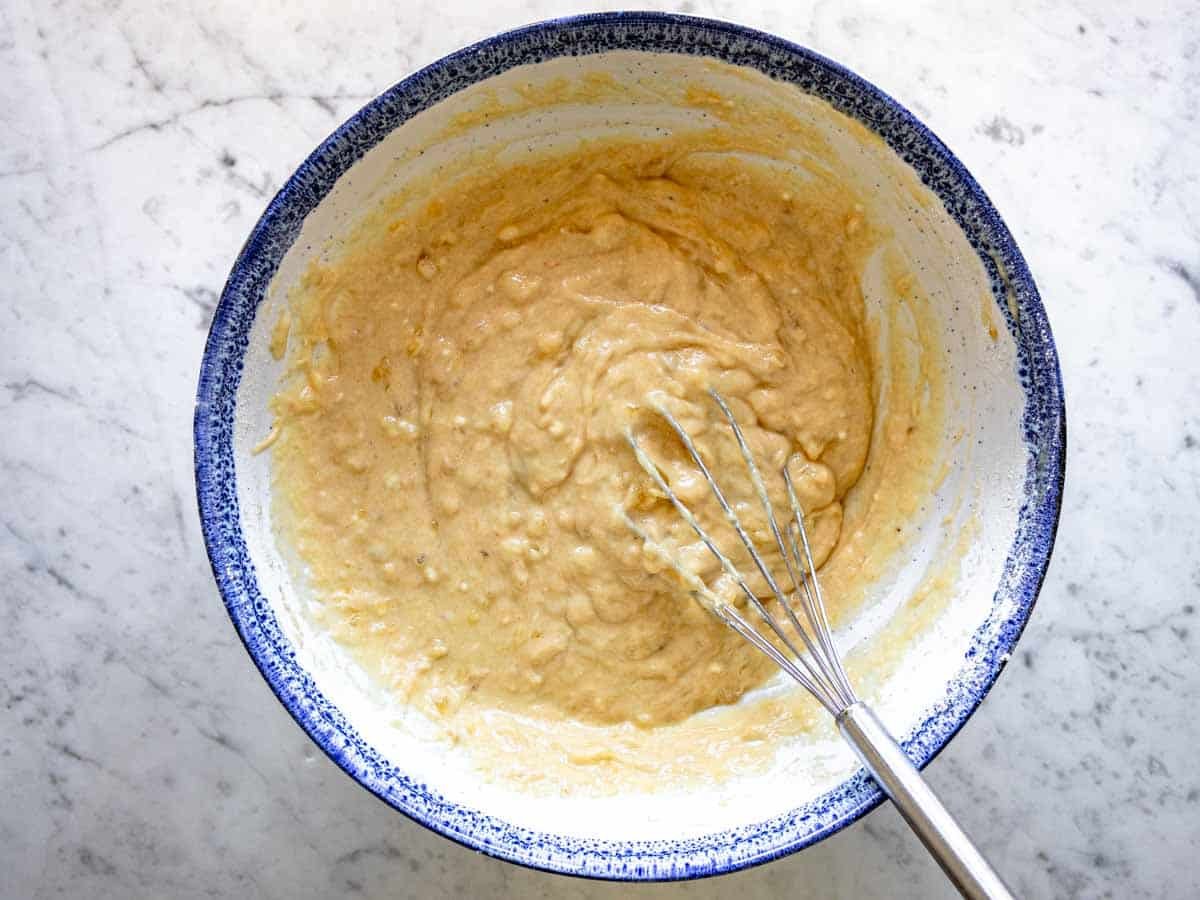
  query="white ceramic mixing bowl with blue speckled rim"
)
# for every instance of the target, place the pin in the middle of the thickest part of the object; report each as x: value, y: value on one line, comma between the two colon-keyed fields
x: 1004, y: 476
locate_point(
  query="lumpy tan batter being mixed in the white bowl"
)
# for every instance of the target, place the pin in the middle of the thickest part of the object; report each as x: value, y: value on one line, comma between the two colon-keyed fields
x: 452, y: 465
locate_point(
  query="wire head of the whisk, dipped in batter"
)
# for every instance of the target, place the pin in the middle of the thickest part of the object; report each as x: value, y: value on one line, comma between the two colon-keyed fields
x: 805, y: 650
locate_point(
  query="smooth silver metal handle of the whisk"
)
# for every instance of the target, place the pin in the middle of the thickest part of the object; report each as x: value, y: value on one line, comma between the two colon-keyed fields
x: 904, y: 785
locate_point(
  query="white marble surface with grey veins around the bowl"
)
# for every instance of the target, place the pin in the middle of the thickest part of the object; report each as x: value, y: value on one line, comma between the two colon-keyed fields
x: 141, y: 754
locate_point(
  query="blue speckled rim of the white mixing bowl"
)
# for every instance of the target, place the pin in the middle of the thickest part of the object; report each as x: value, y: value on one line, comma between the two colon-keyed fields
x: 1045, y: 424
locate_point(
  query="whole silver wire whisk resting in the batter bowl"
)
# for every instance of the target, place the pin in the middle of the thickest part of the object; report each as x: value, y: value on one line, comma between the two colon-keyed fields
x: 805, y: 650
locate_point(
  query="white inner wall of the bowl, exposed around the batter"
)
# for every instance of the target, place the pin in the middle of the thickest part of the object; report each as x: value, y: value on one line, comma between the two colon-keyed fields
x: 965, y: 533
